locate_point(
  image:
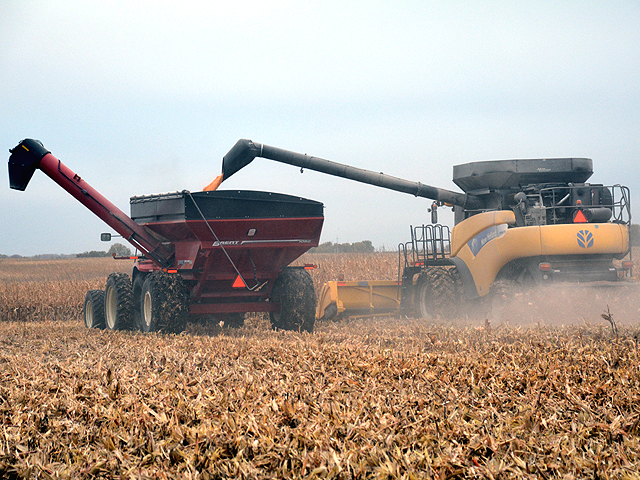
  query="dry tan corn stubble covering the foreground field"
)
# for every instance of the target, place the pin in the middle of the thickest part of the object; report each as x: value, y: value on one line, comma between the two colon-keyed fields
x: 374, y: 398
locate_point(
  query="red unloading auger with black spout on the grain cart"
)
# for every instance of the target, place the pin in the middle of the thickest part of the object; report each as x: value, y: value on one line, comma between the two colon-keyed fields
x: 30, y: 154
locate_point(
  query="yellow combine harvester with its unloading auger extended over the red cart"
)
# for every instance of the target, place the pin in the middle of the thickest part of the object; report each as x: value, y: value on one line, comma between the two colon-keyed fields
x: 518, y: 221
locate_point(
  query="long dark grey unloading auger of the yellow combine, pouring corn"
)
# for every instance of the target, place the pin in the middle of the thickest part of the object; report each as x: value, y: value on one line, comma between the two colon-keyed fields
x: 244, y: 151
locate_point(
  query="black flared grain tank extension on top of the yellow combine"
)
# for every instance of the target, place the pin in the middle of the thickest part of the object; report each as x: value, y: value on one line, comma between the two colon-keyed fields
x: 507, y: 174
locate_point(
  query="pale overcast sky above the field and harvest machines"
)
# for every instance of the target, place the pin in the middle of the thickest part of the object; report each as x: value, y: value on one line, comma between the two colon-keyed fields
x: 147, y: 97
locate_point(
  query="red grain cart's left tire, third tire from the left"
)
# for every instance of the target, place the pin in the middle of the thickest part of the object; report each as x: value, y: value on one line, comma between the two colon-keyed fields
x: 164, y: 303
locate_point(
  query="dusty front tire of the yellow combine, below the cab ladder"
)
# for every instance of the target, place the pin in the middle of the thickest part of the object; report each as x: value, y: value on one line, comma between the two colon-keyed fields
x: 438, y: 293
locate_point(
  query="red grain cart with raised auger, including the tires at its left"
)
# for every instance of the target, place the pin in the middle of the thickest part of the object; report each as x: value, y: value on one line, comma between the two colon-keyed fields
x: 203, y: 254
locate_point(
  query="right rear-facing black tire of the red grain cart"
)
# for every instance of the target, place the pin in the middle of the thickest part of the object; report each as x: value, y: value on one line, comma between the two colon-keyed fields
x: 293, y: 289
